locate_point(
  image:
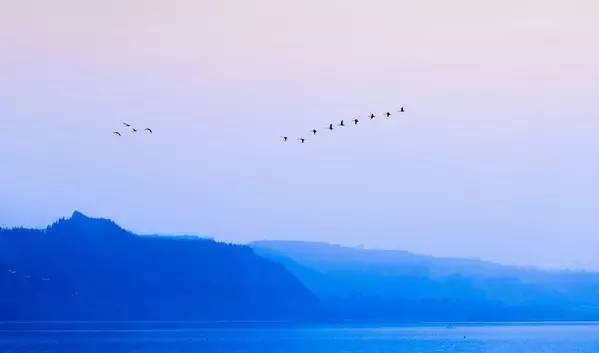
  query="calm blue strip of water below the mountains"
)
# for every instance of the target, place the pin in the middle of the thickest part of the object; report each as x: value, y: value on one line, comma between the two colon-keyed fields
x: 273, y: 338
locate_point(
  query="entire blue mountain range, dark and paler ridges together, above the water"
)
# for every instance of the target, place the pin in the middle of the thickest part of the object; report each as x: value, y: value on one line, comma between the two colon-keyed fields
x: 84, y: 268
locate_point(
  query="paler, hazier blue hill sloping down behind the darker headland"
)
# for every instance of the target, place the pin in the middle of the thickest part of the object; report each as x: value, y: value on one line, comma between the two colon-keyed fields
x: 360, y: 284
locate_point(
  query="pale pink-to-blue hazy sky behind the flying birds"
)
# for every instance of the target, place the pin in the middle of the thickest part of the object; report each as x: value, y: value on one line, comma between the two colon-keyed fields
x: 495, y: 158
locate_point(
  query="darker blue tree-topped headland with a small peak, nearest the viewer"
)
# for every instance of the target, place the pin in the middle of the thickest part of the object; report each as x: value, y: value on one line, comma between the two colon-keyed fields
x: 83, y: 268
